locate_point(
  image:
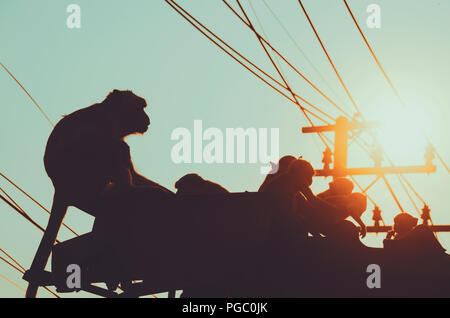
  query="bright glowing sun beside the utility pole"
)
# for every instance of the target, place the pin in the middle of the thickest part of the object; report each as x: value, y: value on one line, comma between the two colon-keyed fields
x: 403, y: 133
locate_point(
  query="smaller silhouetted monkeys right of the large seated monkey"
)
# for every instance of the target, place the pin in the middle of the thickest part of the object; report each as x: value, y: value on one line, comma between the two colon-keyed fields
x: 321, y: 214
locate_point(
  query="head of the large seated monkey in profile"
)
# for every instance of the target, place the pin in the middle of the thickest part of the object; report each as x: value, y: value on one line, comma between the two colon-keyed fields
x: 127, y: 111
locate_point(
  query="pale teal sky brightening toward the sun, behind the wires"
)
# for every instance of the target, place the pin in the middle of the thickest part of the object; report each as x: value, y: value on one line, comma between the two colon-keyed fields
x: 147, y: 47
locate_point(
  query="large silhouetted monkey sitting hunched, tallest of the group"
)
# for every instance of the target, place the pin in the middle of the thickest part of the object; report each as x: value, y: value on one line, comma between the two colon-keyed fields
x: 86, y: 156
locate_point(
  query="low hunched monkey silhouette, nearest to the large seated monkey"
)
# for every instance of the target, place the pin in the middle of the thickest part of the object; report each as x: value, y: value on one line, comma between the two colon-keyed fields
x: 192, y: 183
